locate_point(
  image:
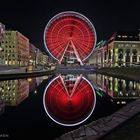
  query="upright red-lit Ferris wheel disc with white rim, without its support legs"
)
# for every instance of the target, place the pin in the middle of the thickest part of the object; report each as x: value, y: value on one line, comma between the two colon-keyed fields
x: 69, y: 26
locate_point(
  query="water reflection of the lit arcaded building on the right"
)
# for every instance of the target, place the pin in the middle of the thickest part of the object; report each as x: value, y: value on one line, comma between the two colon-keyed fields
x: 115, y: 87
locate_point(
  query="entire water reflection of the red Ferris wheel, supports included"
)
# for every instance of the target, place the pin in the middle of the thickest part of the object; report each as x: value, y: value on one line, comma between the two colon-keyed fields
x: 69, y: 99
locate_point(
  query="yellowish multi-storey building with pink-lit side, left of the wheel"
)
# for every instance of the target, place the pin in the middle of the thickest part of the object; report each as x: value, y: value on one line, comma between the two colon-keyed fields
x: 16, y: 49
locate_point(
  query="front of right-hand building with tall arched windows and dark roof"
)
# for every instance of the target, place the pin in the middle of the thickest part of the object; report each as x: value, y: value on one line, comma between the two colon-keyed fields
x: 124, y: 49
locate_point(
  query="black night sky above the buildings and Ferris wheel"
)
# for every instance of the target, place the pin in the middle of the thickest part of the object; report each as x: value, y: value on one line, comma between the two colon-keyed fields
x: 30, y: 17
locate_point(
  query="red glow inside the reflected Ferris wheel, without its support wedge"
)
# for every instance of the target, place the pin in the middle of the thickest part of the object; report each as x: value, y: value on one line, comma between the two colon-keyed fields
x: 69, y: 110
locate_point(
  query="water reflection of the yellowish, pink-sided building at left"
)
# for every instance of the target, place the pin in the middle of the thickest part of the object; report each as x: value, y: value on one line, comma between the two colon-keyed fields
x: 14, y: 92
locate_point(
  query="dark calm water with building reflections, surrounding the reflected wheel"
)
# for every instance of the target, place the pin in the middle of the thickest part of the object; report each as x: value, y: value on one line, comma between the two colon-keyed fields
x: 22, y: 114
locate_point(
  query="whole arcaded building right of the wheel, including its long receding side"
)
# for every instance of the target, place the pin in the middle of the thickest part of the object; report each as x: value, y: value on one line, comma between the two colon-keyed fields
x: 122, y: 49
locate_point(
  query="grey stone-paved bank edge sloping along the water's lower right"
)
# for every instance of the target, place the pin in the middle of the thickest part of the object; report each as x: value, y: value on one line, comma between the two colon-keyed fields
x: 103, y: 126
